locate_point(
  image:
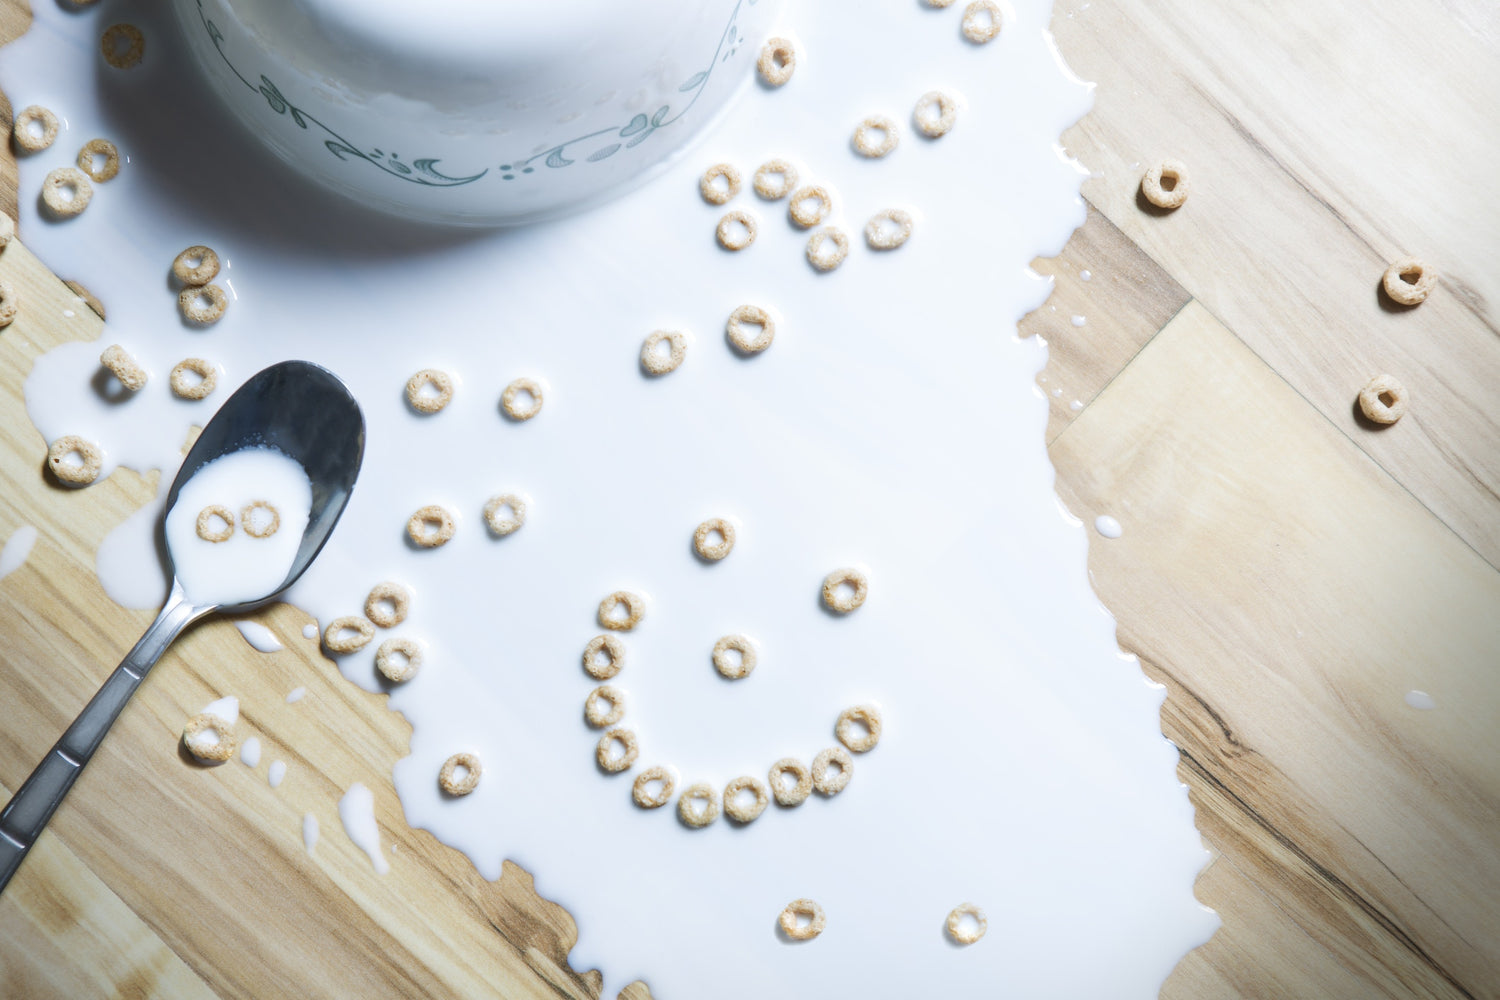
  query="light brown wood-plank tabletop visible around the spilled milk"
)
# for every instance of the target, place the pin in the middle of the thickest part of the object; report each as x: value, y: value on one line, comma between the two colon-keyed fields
x: 1288, y: 570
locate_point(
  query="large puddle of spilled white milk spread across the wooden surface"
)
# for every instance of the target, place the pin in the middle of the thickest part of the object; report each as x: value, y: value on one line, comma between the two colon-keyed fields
x: 892, y: 425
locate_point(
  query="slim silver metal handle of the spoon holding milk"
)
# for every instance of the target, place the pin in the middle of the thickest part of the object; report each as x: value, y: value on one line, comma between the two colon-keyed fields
x: 26, y: 815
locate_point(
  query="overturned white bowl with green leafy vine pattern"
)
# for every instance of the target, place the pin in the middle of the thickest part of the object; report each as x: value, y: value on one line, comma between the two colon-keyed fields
x: 476, y: 112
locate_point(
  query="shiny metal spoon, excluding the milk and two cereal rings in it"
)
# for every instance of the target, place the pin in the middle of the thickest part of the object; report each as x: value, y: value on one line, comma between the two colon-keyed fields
x: 302, y: 412
